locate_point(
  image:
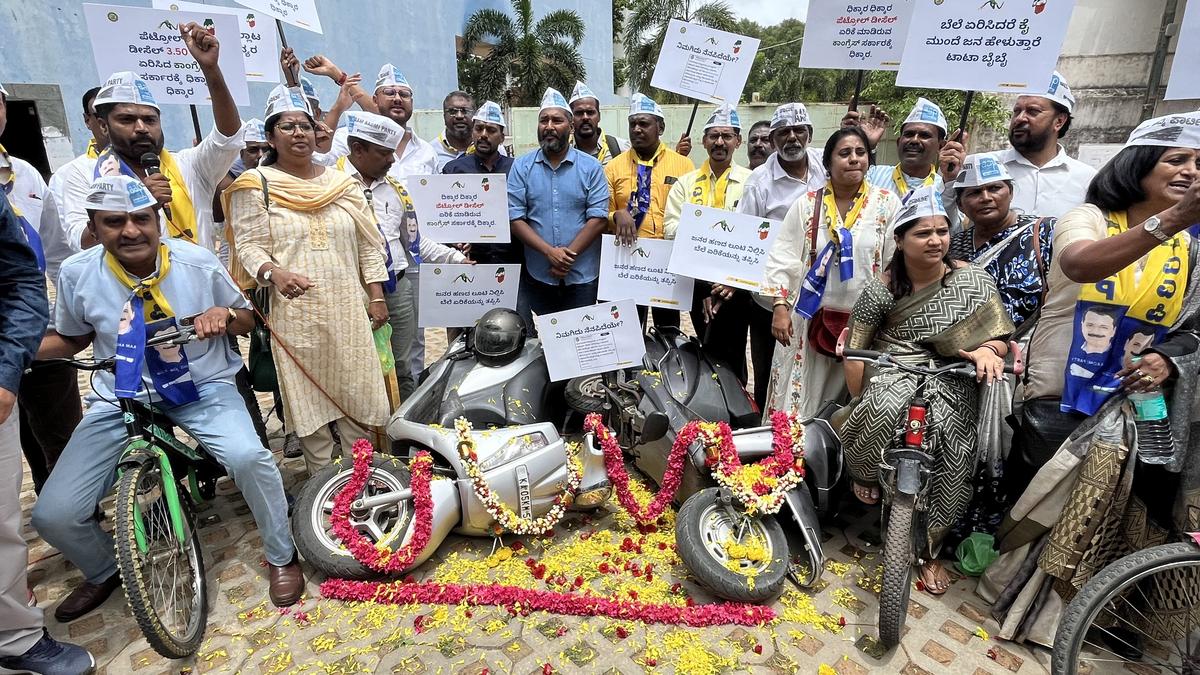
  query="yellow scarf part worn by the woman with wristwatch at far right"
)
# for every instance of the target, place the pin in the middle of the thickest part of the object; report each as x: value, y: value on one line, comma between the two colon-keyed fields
x: 1157, y: 296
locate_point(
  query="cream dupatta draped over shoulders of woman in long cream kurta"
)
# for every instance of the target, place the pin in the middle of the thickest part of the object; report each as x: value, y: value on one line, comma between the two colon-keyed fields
x: 298, y: 195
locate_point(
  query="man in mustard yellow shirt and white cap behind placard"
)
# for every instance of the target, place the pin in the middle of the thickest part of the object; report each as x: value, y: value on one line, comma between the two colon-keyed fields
x: 639, y: 182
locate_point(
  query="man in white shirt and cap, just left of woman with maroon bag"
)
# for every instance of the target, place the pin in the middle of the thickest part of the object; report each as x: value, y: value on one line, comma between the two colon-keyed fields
x: 791, y: 171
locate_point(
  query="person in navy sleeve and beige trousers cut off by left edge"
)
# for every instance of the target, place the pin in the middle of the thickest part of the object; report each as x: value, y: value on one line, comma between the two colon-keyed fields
x: 25, y: 643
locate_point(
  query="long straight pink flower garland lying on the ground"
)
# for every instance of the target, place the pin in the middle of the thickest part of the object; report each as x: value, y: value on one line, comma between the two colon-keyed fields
x: 527, y: 600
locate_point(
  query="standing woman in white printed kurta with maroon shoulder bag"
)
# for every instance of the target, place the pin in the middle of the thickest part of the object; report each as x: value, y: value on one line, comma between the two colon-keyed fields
x: 833, y: 242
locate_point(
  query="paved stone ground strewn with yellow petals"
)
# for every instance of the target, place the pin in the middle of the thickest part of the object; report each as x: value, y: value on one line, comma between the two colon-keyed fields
x: 245, y: 634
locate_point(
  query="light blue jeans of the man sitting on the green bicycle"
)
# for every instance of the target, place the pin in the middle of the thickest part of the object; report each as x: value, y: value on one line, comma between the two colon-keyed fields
x: 65, y: 511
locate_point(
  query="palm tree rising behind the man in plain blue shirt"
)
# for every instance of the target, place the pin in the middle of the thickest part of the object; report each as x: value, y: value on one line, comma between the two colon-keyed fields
x: 526, y: 57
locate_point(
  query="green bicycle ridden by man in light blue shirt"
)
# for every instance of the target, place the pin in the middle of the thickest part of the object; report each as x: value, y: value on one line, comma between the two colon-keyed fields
x: 158, y: 552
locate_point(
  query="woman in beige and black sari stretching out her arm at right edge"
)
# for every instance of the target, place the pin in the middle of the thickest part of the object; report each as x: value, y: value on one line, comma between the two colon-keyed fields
x: 1123, y: 285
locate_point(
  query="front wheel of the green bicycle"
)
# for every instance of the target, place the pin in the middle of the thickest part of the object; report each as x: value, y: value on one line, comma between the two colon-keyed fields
x: 164, y: 580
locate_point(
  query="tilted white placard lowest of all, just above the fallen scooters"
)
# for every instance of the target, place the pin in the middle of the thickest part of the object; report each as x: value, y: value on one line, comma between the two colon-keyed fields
x: 587, y: 341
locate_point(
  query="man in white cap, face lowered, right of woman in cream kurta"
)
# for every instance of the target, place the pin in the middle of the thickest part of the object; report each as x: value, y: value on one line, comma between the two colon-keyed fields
x: 373, y: 141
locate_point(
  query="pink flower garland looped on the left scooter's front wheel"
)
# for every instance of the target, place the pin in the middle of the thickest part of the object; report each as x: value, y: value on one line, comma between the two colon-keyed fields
x: 381, y: 558
